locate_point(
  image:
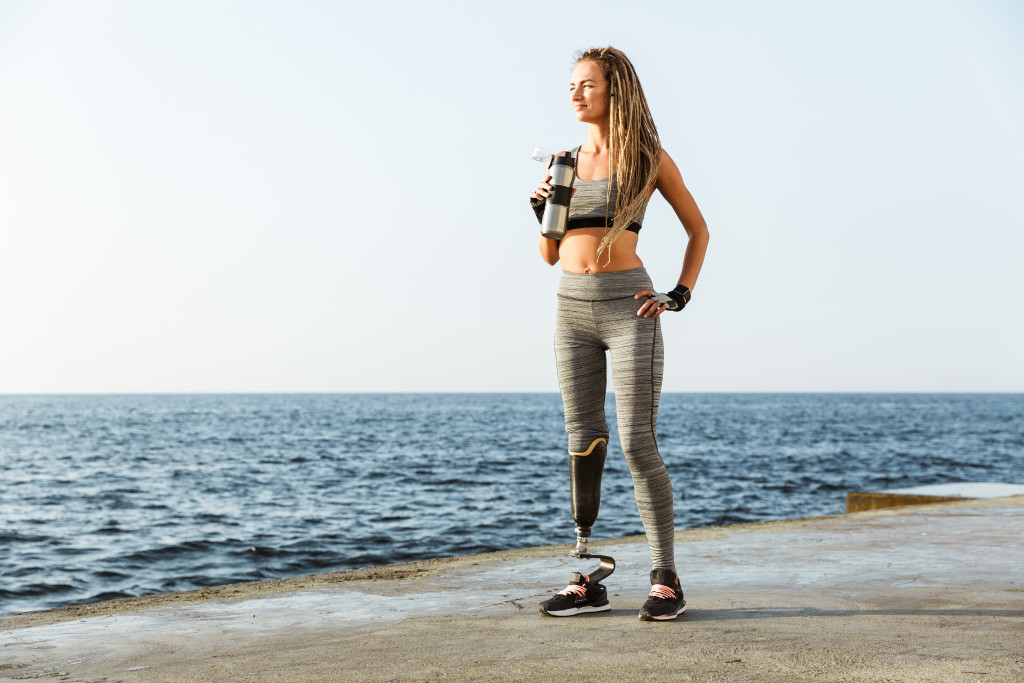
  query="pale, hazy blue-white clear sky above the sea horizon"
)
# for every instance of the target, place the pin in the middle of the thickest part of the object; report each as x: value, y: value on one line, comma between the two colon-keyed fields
x: 332, y: 197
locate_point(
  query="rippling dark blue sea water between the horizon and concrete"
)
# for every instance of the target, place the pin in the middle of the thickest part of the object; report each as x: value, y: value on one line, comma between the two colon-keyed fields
x: 106, y: 497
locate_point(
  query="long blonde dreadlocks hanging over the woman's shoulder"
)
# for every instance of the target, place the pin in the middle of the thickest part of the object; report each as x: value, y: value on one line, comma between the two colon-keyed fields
x: 635, y: 150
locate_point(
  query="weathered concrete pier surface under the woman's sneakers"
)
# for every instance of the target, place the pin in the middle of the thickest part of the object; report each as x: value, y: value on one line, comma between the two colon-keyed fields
x: 930, y: 593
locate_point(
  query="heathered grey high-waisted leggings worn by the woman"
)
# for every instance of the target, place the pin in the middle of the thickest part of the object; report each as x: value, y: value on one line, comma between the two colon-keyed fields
x: 598, y: 313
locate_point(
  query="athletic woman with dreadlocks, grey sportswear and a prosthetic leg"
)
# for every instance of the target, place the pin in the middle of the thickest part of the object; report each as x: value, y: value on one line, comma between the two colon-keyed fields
x: 603, y: 282
